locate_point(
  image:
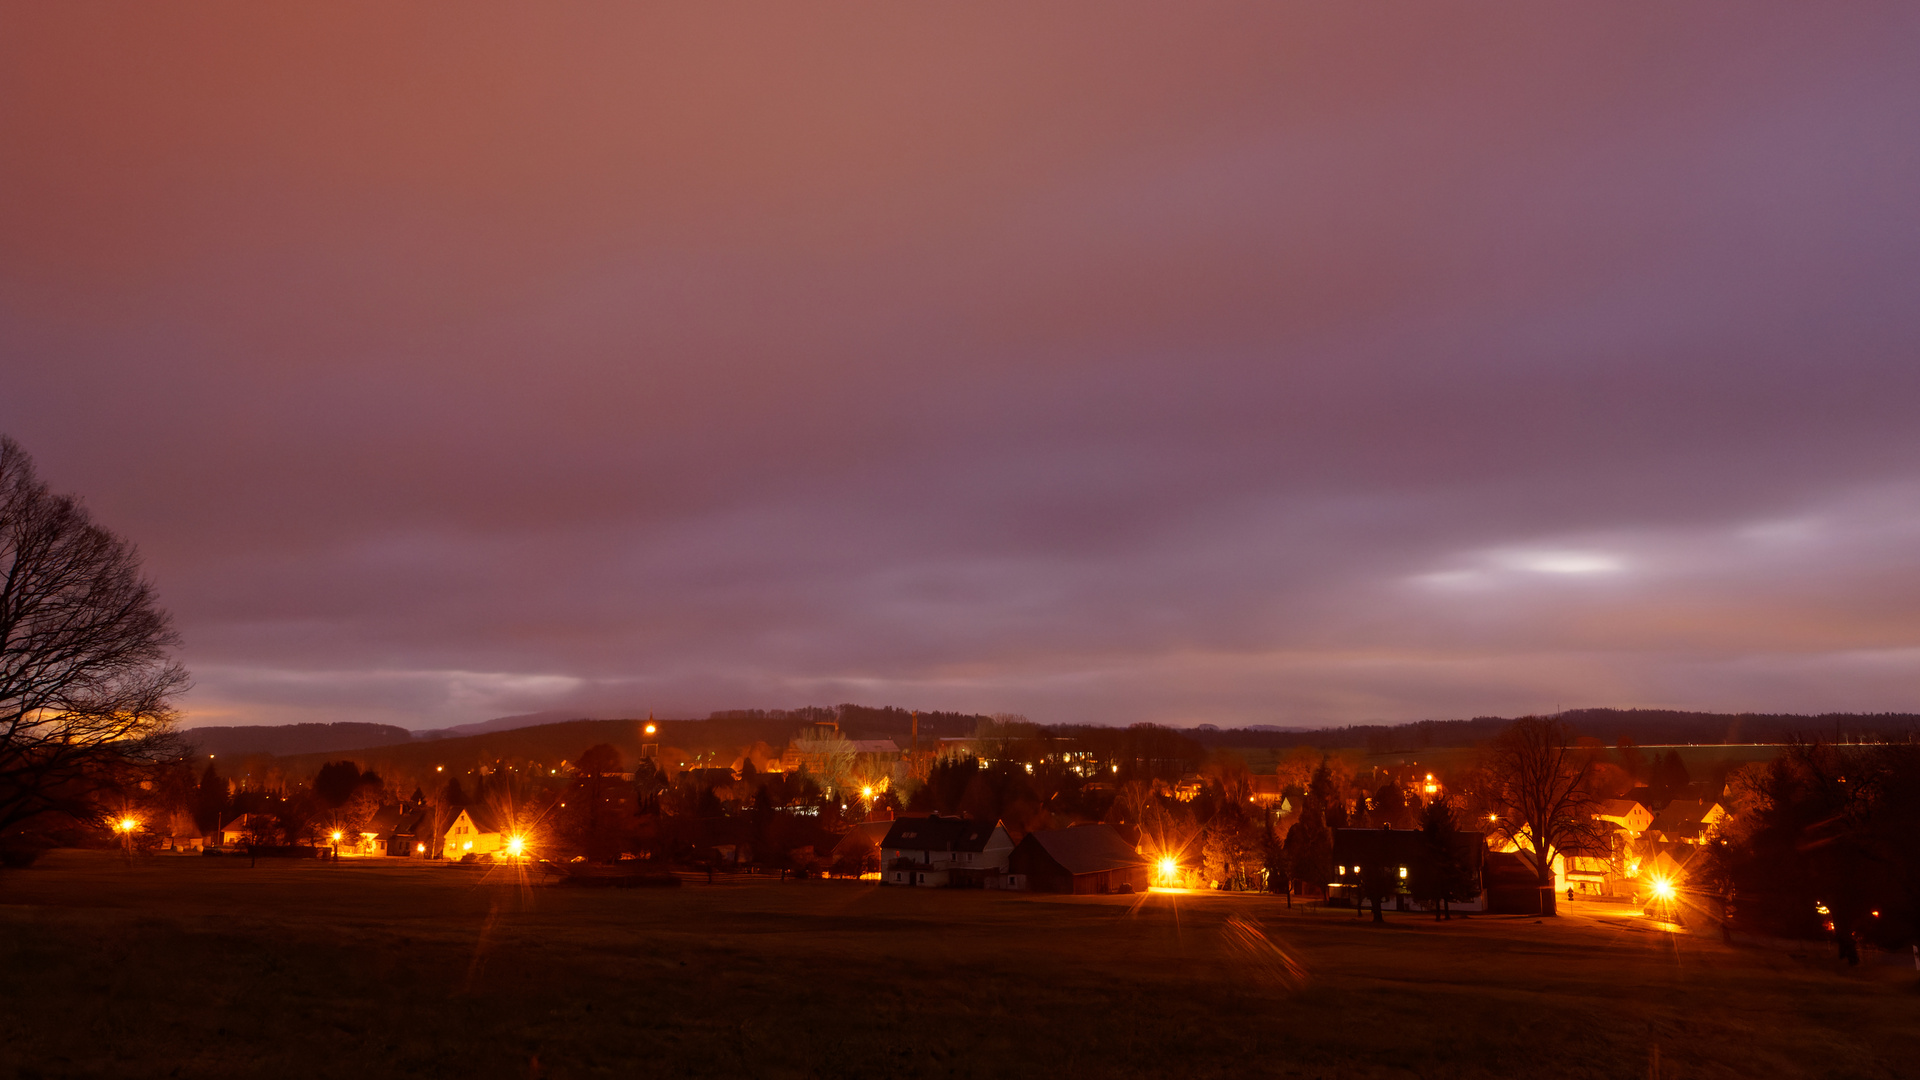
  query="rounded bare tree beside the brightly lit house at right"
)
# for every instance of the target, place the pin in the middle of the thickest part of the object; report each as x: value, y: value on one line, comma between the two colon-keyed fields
x: 1541, y: 795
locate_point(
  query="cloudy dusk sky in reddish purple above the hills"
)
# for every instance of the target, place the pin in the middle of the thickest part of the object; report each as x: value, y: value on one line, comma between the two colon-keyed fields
x: 1186, y: 364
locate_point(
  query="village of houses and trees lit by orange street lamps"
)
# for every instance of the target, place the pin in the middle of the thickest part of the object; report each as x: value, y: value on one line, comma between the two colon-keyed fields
x: 1009, y: 808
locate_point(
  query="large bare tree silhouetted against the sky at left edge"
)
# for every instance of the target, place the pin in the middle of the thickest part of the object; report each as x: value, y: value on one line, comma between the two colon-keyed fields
x: 85, y: 672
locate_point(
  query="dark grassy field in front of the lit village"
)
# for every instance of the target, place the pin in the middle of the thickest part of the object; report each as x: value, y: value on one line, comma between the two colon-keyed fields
x: 204, y: 968
